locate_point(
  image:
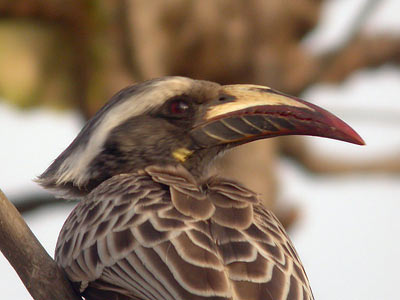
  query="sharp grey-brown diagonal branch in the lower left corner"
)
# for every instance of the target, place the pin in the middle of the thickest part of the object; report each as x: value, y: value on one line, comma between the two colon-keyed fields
x: 38, y: 271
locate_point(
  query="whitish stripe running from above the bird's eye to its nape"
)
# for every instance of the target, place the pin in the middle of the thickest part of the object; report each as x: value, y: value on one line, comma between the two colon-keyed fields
x: 75, y: 167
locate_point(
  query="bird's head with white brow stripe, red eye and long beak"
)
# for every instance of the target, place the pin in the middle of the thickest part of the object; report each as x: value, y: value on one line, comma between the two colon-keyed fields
x: 177, y: 120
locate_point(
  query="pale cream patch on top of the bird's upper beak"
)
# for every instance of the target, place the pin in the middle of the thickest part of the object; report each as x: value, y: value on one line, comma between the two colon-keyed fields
x: 248, y: 96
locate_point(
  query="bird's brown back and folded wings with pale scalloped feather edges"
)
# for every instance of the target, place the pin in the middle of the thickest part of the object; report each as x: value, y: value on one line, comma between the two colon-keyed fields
x: 163, y: 236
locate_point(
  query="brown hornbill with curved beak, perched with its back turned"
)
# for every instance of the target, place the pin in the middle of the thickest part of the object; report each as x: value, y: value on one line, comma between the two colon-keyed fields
x: 152, y: 222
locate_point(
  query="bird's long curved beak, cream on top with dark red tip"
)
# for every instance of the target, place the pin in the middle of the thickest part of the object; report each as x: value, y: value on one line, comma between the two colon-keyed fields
x: 245, y: 113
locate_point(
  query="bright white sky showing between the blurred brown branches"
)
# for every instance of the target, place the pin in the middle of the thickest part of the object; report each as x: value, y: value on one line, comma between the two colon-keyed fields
x: 348, y: 235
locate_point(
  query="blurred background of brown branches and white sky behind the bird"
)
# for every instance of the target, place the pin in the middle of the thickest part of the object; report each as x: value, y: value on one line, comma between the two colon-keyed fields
x: 61, y: 60
